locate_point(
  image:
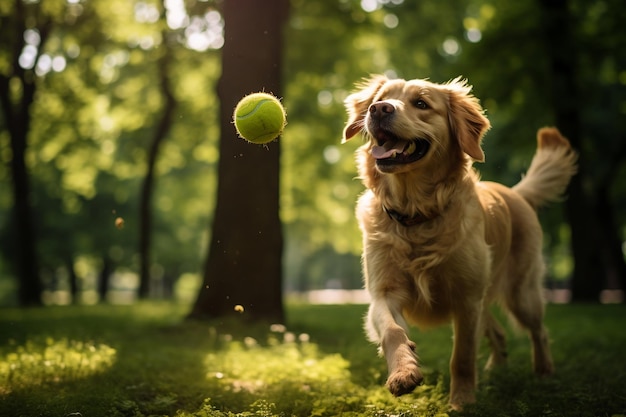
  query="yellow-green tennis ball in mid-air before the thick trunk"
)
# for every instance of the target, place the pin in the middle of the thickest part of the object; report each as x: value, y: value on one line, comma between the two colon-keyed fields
x: 259, y: 118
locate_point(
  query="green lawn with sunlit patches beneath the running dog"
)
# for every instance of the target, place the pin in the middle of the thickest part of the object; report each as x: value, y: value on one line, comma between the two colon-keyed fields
x: 144, y: 360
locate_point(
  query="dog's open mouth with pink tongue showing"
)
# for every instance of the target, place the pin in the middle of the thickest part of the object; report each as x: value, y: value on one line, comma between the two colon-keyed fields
x: 390, y: 149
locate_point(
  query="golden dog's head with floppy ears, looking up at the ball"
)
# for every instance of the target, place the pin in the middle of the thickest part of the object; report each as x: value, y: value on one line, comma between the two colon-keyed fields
x: 411, y: 122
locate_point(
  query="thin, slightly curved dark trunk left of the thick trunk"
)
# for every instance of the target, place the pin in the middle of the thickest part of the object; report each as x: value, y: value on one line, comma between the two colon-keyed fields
x: 147, y: 190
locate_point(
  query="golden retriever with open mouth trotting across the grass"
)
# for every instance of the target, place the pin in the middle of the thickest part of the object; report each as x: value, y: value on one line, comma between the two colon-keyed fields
x: 439, y: 244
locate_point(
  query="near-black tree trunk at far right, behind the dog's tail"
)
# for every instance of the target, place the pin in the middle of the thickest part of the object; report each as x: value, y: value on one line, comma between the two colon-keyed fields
x: 595, y: 241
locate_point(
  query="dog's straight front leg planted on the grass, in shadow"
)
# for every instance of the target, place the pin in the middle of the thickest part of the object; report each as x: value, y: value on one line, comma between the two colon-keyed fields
x: 463, y: 372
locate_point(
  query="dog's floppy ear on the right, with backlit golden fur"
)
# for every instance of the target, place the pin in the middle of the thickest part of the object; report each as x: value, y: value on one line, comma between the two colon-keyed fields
x: 467, y: 121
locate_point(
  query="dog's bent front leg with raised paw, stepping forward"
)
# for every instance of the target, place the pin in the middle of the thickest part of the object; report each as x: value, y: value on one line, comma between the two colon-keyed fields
x: 387, y: 327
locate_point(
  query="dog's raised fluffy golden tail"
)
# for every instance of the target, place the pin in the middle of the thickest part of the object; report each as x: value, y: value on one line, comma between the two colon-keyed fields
x: 551, y: 169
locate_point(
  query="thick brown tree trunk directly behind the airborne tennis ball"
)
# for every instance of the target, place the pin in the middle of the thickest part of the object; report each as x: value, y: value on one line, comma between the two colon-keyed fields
x: 244, y: 264
